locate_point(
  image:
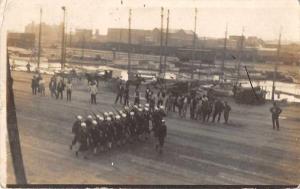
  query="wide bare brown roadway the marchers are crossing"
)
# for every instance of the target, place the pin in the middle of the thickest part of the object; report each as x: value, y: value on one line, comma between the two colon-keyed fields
x: 247, y: 151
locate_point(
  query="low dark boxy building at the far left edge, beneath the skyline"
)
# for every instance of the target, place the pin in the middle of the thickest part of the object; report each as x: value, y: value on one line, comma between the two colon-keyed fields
x: 21, y: 40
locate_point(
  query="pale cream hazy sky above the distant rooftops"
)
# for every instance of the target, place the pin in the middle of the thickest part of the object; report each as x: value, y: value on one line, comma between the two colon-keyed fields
x: 262, y: 18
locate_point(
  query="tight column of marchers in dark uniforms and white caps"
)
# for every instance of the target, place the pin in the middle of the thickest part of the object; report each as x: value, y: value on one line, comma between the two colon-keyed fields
x: 107, y: 130
